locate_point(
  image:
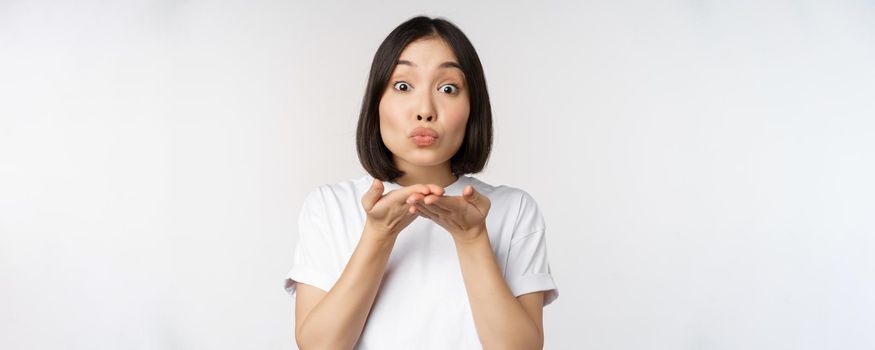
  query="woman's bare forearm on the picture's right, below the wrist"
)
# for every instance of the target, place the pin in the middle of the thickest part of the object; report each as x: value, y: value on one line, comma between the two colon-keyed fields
x: 502, y: 321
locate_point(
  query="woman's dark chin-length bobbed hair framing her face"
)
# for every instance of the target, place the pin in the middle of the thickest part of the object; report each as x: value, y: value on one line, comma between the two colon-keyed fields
x: 473, y: 153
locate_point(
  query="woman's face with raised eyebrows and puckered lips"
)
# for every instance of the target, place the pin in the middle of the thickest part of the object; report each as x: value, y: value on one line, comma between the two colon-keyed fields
x: 424, y: 109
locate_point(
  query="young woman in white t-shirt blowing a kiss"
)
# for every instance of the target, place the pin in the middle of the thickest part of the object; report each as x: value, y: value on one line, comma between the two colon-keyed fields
x: 417, y: 253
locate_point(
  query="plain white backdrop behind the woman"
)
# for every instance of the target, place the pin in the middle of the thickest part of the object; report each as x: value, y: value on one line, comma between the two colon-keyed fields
x: 705, y: 167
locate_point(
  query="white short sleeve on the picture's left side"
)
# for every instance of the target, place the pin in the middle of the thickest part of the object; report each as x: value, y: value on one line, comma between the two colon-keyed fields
x: 311, y: 263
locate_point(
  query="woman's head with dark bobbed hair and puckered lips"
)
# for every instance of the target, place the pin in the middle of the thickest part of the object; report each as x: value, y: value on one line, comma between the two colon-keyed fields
x: 425, y: 76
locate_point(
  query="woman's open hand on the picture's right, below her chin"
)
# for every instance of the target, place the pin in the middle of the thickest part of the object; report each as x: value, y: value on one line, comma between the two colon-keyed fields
x: 463, y: 216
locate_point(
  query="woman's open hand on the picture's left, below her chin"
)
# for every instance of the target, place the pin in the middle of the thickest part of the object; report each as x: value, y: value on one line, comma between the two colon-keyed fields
x: 390, y: 213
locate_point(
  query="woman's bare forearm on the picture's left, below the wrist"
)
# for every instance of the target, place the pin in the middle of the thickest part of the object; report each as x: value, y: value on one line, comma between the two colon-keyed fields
x: 336, y: 322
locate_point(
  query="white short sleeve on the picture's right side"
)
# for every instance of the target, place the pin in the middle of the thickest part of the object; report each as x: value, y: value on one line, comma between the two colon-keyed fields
x: 528, y: 269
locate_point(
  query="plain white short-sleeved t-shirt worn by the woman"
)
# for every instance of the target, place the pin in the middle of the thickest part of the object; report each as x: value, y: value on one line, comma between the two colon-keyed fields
x: 422, y: 302
